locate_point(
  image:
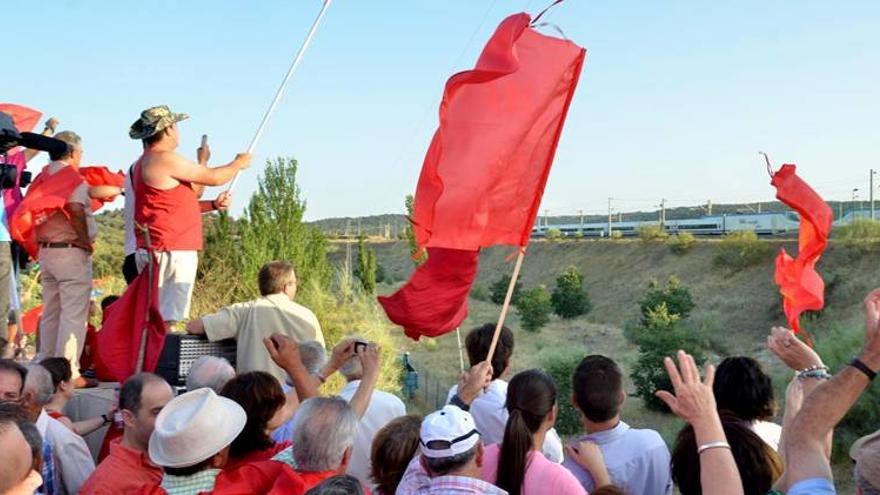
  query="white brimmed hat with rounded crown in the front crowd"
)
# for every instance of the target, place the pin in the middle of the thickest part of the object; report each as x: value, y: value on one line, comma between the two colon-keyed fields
x: 194, y: 427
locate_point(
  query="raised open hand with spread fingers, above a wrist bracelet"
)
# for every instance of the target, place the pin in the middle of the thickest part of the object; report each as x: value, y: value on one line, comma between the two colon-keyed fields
x: 693, y: 401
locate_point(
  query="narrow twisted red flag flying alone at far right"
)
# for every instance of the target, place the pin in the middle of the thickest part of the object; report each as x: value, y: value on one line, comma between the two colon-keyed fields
x: 799, y: 283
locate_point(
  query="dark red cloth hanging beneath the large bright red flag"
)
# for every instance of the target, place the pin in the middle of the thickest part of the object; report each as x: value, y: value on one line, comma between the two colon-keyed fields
x: 434, y: 301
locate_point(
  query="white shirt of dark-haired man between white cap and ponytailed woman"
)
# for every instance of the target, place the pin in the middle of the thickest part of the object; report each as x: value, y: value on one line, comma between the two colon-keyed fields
x: 490, y: 416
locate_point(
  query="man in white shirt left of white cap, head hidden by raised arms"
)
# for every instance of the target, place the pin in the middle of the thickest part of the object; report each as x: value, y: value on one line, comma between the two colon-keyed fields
x: 383, y: 408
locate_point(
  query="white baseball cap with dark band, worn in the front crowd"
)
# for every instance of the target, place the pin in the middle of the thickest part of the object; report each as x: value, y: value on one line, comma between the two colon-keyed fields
x: 447, y: 433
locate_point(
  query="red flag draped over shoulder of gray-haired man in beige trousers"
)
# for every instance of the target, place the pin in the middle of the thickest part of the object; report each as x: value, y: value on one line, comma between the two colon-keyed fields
x: 46, y: 195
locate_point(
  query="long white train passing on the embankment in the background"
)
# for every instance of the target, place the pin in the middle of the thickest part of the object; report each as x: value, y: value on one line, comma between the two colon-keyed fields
x: 760, y: 223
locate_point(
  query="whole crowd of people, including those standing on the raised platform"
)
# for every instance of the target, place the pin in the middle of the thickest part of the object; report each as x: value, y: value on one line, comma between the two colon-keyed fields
x: 264, y: 425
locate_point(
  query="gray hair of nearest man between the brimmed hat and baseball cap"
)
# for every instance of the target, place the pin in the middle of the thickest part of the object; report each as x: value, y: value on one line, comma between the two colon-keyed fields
x: 323, y: 428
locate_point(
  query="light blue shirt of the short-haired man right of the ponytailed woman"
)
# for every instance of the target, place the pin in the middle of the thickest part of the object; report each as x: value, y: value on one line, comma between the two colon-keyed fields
x: 637, y: 460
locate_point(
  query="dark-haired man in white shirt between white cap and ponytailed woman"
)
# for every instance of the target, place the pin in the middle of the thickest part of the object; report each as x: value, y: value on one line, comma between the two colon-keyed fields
x: 488, y: 408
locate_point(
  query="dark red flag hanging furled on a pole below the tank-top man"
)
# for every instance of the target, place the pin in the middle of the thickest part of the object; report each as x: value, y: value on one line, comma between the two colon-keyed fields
x: 119, y: 340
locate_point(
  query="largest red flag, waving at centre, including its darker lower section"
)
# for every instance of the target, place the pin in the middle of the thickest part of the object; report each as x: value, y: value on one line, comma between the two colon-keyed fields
x: 484, y: 173
